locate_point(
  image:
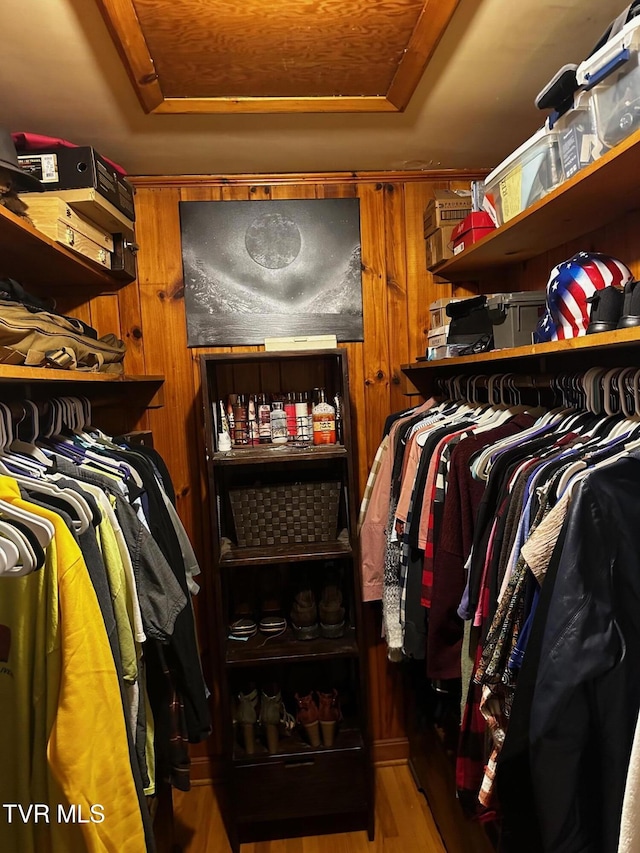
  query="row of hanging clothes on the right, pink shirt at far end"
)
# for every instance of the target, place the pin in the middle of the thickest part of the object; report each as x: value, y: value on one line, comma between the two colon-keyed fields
x: 478, y: 485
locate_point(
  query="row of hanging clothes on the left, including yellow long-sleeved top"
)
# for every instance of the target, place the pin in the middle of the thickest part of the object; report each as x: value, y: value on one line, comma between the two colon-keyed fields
x: 33, y: 436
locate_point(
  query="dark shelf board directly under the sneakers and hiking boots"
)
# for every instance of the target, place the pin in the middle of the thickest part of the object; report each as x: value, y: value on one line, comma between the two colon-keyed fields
x: 286, y: 649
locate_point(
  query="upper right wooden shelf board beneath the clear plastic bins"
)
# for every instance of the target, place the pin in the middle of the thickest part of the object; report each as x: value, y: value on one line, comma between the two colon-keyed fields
x: 596, y: 195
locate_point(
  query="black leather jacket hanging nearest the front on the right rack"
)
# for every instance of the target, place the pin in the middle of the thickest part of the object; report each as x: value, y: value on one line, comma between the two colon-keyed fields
x: 587, y: 691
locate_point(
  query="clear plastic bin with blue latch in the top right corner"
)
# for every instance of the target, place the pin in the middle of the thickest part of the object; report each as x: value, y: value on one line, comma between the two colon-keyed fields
x: 612, y: 75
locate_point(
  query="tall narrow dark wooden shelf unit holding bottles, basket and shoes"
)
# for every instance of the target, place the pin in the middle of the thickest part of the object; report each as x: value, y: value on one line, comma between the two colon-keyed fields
x: 279, y: 793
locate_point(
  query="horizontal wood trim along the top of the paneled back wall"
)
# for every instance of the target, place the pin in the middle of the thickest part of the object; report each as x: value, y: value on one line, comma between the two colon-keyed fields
x: 288, y: 179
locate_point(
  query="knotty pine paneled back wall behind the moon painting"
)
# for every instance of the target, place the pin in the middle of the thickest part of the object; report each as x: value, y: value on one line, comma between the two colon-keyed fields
x: 397, y: 291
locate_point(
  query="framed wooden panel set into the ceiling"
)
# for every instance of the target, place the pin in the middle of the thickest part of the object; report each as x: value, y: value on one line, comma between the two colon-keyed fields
x: 260, y: 56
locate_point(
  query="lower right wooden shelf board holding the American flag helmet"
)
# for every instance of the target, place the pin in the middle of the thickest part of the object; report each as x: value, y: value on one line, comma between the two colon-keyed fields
x: 604, y: 342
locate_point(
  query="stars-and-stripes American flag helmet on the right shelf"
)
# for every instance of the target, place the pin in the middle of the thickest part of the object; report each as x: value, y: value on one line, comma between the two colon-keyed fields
x: 570, y: 285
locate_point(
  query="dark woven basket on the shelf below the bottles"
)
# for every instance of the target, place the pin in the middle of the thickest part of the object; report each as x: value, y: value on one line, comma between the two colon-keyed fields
x: 285, y: 514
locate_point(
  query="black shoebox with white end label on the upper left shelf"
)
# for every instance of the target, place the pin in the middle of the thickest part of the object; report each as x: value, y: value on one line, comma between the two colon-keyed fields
x: 77, y: 168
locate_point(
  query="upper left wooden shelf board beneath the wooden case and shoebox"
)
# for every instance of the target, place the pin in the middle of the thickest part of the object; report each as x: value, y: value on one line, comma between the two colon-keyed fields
x: 34, y: 259
